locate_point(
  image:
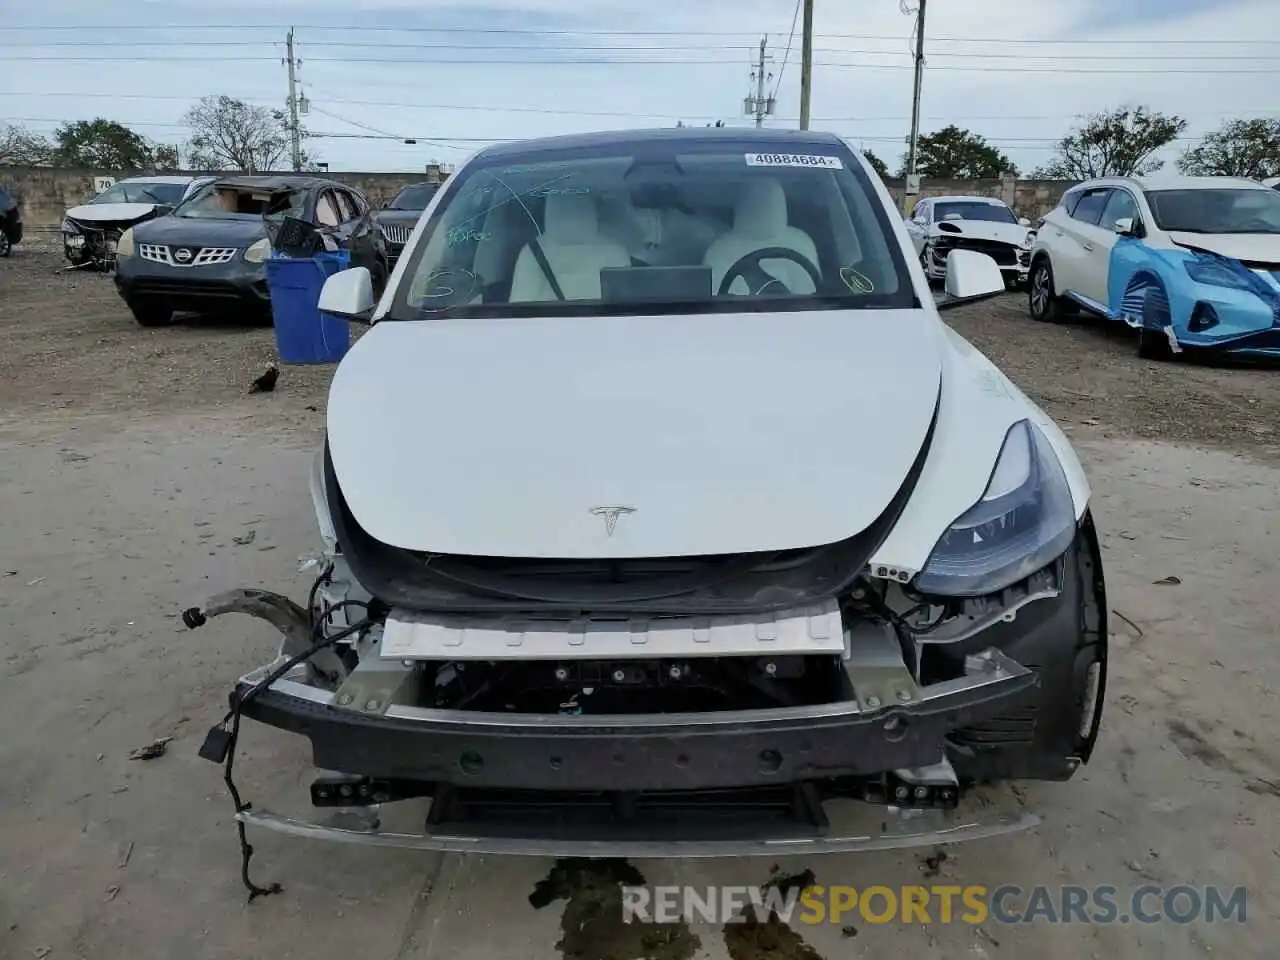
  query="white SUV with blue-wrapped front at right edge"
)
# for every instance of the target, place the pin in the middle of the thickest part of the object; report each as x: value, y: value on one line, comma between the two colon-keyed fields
x: 1192, y: 263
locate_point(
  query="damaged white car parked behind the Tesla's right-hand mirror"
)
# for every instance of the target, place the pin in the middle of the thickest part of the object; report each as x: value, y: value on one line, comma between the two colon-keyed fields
x: 940, y: 225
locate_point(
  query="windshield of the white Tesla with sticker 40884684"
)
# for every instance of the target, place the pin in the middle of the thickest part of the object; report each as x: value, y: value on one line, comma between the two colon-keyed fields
x: 656, y: 227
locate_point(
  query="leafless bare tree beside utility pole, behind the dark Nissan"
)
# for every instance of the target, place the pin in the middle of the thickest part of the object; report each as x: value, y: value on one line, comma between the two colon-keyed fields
x: 228, y: 134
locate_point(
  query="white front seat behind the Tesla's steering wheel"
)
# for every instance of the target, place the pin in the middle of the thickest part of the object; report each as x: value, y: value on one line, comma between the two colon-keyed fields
x: 761, y: 221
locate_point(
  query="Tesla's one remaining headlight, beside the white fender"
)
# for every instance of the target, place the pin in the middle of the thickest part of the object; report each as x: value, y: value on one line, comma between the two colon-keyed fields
x: 1023, y: 522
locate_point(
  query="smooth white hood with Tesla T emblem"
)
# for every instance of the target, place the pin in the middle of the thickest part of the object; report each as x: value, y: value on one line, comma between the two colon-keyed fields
x: 716, y: 435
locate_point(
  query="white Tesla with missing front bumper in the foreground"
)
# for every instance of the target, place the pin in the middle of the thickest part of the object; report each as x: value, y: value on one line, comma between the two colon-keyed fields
x: 680, y: 550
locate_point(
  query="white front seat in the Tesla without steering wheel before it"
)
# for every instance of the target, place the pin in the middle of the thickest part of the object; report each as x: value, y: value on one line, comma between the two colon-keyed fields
x: 575, y: 252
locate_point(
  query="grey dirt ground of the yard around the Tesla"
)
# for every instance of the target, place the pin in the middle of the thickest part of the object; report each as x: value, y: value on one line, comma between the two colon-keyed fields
x: 134, y: 467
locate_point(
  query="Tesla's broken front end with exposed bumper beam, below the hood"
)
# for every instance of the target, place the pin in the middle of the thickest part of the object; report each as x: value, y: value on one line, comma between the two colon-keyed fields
x: 670, y: 706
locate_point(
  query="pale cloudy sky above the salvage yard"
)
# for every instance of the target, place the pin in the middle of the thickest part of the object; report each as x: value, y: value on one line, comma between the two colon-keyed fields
x: 455, y: 76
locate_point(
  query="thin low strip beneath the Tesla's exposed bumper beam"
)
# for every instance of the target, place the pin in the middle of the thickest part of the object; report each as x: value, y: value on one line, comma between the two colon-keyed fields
x: 926, y: 829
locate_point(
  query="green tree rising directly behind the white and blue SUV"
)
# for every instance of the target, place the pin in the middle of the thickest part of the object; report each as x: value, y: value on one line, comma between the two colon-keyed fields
x: 1114, y: 144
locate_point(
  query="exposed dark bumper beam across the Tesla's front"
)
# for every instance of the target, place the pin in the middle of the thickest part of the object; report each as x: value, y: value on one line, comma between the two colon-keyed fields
x: 643, y: 752
